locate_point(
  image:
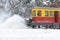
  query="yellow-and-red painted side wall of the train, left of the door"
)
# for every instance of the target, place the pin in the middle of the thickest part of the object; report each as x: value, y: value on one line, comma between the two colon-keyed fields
x: 43, y: 18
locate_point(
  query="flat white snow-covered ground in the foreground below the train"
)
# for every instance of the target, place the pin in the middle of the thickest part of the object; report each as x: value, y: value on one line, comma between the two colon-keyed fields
x: 30, y: 34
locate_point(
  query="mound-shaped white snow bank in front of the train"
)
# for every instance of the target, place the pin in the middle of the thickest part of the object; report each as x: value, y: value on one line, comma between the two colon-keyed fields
x: 14, y: 22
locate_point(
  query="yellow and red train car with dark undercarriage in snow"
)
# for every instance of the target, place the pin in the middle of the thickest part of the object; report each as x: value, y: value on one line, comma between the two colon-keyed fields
x: 45, y: 17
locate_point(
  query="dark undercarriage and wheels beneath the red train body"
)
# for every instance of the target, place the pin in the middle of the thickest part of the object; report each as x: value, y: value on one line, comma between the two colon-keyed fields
x: 44, y: 25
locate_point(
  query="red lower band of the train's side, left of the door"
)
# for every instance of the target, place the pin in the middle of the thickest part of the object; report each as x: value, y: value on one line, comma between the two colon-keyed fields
x: 43, y: 19
